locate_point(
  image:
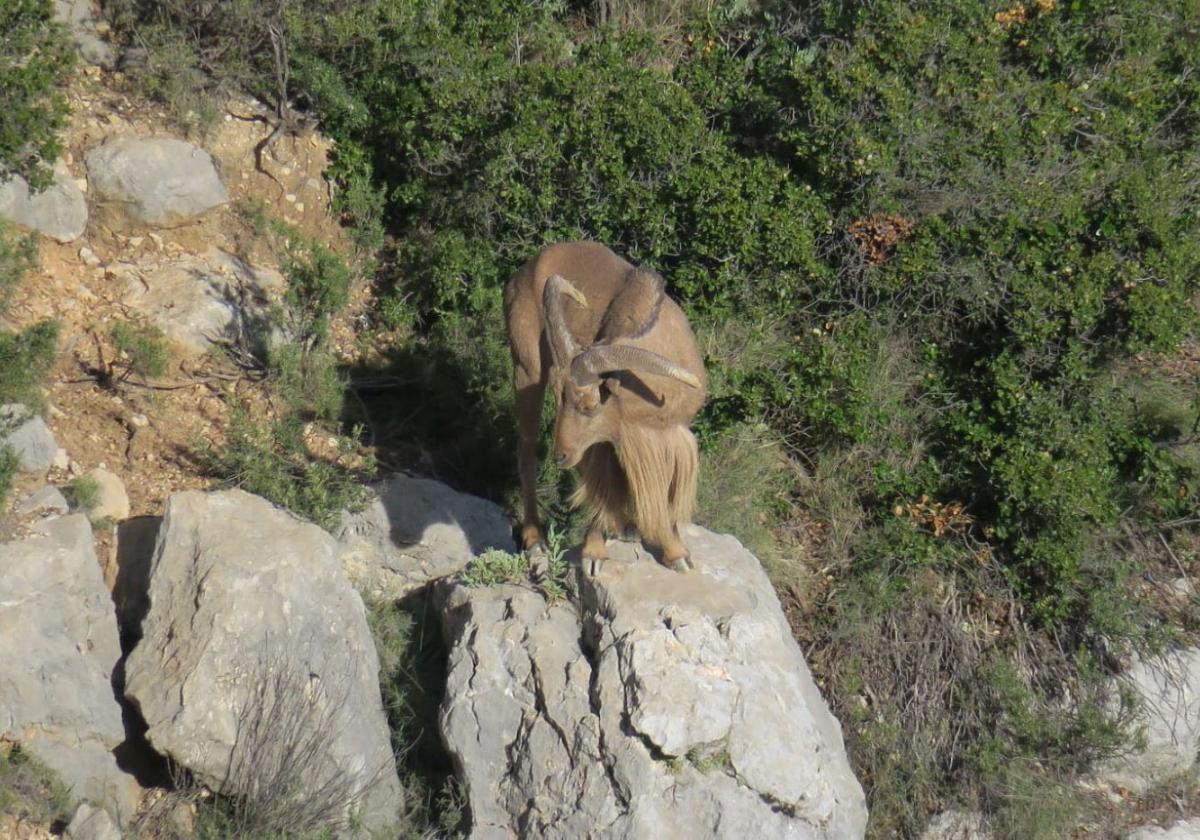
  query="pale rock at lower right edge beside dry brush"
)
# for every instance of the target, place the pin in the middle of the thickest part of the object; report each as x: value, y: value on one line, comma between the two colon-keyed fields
x: 1168, y: 691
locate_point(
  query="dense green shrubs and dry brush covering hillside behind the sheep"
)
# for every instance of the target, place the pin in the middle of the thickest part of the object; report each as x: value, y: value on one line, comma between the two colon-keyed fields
x: 944, y: 260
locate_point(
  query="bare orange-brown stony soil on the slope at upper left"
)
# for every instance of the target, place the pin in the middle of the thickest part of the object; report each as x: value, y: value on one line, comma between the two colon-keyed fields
x: 148, y: 435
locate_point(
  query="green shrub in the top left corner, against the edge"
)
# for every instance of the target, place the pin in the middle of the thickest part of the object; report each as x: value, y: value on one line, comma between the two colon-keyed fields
x: 35, y: 62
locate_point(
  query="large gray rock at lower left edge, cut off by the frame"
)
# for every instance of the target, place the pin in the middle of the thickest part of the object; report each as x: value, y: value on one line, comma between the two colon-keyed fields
x: 58, y: 650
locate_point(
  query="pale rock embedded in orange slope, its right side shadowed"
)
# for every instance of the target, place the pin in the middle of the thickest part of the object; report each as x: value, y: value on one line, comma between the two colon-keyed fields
x: 203, y: 301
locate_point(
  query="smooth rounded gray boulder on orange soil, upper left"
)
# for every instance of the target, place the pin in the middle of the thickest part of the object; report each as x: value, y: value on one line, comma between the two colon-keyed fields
x: 164, y: 182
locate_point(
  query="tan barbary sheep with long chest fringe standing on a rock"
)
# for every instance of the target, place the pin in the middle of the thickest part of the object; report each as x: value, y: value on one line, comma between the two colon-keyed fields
x: 627, y: 379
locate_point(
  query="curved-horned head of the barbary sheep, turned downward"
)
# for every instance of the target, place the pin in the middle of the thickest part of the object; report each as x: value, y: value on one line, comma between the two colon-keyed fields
x: 587, y: 389
